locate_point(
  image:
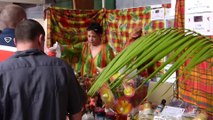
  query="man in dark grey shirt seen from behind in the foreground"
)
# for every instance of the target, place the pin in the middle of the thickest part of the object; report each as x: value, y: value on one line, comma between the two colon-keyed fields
x: 34, y: 86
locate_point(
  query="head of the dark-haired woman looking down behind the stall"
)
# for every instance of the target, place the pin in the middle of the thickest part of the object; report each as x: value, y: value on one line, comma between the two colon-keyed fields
x: 94, y: 33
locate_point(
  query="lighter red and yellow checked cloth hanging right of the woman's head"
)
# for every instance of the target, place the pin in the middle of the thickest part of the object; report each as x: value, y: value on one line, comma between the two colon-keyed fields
x: 120, y: 23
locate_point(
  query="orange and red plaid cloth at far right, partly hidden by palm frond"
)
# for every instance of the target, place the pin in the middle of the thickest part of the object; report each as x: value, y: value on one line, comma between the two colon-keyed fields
x: 196, y: 88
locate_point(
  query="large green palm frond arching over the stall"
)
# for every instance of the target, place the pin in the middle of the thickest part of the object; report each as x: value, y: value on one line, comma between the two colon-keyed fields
x: 180, y: 44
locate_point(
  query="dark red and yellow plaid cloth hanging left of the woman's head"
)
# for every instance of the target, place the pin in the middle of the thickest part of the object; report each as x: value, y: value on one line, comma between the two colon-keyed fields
x: 68, y: 27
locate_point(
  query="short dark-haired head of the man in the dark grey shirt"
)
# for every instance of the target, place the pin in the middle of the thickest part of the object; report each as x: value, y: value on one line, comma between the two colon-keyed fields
x: 29, y: 34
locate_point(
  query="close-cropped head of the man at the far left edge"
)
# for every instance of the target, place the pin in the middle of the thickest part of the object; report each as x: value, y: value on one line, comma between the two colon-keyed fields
x: 12, y: 14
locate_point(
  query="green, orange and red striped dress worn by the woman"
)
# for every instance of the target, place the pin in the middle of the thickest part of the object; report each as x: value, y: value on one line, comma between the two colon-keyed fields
x: 87, y: 64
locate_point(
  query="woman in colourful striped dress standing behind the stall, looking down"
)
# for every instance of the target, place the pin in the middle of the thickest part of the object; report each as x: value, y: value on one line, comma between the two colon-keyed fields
x: 95, y: 54
